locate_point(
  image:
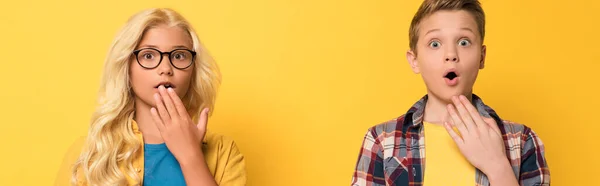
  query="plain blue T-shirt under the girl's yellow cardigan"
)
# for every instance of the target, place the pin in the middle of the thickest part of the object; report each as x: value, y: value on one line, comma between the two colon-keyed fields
x: 161, y: 167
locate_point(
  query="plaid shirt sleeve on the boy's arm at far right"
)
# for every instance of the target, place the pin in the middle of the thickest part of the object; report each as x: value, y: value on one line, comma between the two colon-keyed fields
x: 534, y: 168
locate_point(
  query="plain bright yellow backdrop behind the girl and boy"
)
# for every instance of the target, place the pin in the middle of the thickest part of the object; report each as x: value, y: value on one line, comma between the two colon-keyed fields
x: 303, y: 80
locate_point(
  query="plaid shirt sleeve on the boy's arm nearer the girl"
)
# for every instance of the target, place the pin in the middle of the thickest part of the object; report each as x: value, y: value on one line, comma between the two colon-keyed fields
x: 369, y: 167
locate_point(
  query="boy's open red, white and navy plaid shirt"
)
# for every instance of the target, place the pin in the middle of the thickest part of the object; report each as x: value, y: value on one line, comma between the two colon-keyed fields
x: 393, y: 153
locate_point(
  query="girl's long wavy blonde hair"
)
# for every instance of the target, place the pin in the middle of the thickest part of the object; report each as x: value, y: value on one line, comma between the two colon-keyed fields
x: 111, y: 127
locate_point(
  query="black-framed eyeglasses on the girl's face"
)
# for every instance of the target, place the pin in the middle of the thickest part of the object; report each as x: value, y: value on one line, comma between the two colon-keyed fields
x: 150, y: 58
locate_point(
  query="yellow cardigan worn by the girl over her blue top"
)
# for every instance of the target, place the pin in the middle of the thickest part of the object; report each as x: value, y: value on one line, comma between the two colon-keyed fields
x: 222, y: 156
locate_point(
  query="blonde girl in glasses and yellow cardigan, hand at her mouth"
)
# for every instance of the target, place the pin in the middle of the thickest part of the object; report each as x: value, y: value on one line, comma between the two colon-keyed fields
x: 158, y: 86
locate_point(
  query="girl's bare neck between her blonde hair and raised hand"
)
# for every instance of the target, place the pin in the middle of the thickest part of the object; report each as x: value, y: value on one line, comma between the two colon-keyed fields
x: 143, y: 118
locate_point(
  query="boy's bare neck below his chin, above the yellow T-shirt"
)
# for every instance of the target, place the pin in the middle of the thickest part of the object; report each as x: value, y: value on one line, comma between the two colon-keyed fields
x: 435, y: 108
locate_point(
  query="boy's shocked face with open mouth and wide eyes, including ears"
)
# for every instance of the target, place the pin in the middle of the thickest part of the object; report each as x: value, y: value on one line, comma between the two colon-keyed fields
x: 448, y: 54
